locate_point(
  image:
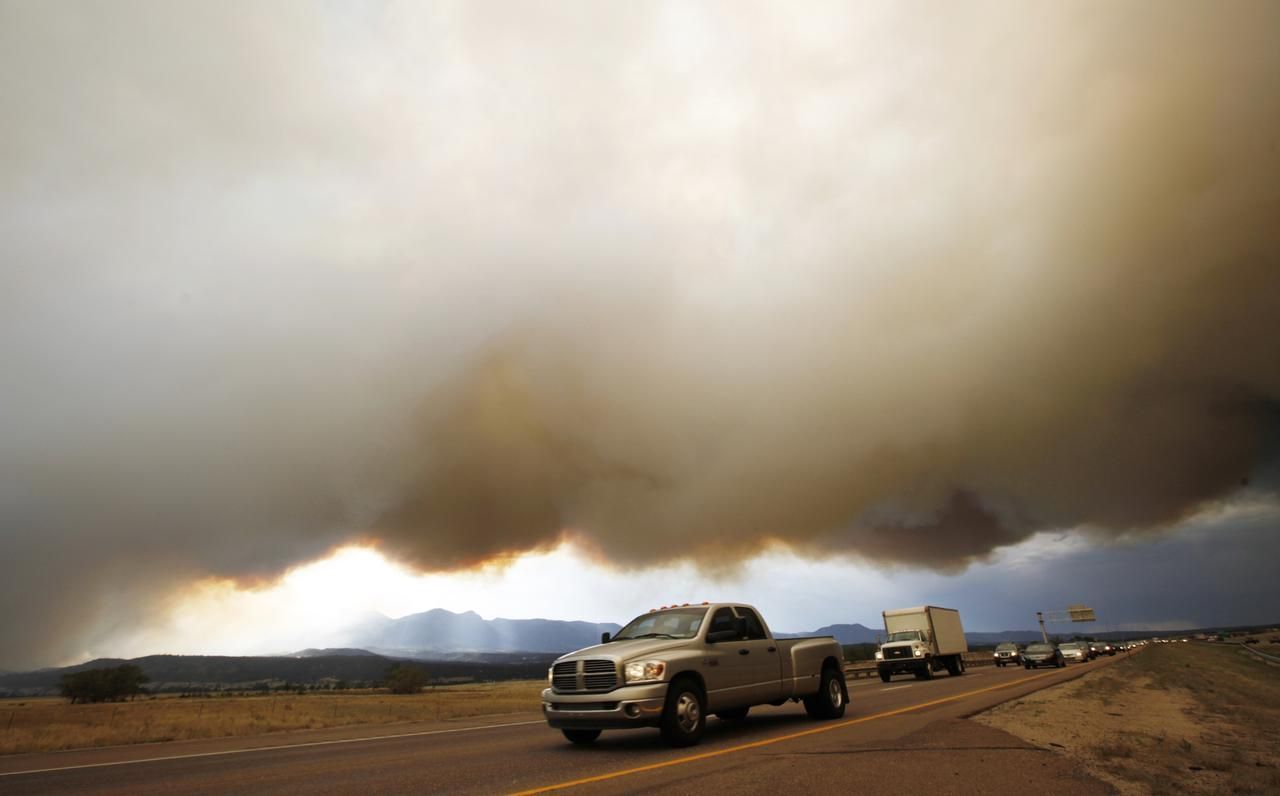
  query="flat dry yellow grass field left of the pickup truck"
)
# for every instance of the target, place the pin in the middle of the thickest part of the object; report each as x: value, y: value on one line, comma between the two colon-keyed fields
x: 49, y: 724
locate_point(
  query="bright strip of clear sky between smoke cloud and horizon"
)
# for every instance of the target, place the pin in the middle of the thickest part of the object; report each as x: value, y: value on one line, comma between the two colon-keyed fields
x: 1182, y: 579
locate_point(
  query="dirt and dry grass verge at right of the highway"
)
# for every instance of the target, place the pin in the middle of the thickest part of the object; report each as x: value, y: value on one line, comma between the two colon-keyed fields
x: 1176, y: 719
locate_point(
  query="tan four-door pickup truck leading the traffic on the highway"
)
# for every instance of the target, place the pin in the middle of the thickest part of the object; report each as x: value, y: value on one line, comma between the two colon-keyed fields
x: 671, y: 667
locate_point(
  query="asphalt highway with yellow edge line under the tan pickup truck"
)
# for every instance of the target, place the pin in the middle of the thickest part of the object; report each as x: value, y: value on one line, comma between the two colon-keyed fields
x: 775, y: 749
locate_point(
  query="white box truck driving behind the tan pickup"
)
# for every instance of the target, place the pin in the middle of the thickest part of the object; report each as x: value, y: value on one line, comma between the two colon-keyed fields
x: 921, y: 642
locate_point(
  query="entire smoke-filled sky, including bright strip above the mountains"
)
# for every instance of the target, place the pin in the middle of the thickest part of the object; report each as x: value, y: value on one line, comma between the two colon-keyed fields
x: 508, y: 308
